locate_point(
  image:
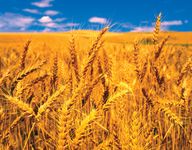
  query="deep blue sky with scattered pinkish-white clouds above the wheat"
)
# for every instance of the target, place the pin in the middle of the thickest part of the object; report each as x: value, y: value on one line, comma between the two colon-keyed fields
x: 123, y: 15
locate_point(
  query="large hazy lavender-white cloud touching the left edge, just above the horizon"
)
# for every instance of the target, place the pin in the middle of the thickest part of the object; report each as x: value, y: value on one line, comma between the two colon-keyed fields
x: 15, y: 22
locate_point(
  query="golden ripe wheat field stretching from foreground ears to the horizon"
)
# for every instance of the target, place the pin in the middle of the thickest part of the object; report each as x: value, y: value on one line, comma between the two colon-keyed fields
x: 88, y: 90
